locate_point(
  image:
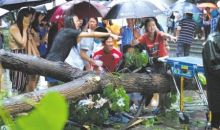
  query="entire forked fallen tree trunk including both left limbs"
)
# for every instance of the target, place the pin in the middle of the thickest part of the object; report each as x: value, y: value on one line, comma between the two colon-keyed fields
x: 83, y: 85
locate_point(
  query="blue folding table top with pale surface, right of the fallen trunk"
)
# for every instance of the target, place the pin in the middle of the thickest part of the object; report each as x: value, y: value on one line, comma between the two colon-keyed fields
x: 185, y: 66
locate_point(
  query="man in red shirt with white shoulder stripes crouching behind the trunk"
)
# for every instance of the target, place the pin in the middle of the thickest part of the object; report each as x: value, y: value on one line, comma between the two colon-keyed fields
x: 108, y: 55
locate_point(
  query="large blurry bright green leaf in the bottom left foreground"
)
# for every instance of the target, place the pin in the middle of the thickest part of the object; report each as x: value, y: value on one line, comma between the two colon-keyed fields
x: 50, y: 114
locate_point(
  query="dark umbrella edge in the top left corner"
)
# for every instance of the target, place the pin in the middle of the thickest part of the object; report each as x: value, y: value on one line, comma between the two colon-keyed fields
x: 17, y: 4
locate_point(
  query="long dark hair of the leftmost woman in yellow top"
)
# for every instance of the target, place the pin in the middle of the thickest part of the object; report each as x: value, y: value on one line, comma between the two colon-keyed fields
x: 24, y: 12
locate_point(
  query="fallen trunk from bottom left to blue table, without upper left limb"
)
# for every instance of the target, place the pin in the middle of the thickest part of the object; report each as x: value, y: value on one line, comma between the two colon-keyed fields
x: 88, y: 84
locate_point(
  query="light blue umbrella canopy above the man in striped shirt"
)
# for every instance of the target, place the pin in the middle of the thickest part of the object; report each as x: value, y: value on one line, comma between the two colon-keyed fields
x: 184, y: 7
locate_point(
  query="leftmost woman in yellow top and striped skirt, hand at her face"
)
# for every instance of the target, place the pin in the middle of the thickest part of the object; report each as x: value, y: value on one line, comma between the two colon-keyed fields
x: 17, y: 43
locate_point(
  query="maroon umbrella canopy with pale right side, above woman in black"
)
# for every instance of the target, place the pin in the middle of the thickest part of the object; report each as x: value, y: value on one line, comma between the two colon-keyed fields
x: 87, y: 8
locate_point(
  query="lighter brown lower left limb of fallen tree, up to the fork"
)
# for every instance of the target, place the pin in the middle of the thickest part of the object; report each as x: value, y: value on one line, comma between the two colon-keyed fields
x: 74, y: 89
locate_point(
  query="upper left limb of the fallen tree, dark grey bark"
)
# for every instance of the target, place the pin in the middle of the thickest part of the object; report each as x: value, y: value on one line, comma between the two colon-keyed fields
x: 36, y: 65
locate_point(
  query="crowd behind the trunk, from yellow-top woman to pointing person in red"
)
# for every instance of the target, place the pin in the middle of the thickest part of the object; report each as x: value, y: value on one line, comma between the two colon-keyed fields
x: 91, y: 46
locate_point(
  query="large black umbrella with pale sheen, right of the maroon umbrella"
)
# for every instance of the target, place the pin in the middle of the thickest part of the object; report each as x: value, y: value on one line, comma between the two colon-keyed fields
x: 133, y: 9
